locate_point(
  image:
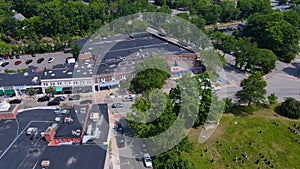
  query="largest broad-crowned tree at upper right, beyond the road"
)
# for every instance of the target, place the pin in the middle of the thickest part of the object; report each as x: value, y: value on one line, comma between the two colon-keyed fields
x: 271, y: 31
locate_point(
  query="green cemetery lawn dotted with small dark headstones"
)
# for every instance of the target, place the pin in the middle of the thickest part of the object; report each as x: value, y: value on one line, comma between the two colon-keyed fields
x: 276, y: 146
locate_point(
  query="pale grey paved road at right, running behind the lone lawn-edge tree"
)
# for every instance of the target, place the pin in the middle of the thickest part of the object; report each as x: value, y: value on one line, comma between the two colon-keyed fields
x: 284, y: 81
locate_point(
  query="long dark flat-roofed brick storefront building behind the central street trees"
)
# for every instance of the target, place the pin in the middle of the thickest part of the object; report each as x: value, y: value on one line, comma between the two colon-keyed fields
x: 117, y: 57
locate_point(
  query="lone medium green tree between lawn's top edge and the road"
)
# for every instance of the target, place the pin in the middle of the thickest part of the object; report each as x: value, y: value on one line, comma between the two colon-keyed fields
x: 253, y: 90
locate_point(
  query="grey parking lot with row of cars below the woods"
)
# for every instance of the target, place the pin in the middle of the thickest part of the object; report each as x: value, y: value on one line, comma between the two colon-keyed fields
x: 59, y: 58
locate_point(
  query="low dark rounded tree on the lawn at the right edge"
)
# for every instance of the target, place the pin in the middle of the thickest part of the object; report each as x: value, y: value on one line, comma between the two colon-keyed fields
x: 289, y: 108
